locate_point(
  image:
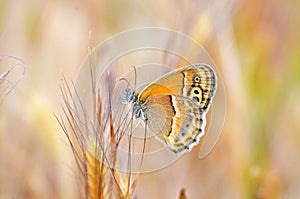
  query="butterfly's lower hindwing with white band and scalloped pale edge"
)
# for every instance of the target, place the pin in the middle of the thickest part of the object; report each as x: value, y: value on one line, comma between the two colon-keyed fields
x: 177, y: 120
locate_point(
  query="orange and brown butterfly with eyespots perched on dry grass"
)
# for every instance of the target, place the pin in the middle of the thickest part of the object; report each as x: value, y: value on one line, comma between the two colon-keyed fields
x: 175, y: 105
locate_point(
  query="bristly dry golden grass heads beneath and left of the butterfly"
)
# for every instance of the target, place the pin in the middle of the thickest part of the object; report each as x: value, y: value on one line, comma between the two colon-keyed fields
x: 94, y: 149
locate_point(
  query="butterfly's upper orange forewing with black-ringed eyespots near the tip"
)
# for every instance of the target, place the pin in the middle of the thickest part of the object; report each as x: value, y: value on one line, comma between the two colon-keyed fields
x: 197, y: 82
